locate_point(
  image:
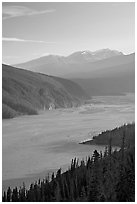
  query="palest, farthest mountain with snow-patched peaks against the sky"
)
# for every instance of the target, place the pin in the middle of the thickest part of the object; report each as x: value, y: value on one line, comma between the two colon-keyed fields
x: 60, y: 65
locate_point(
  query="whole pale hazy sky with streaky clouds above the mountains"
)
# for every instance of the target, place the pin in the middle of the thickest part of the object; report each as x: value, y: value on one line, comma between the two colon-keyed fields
x: 31, y: 30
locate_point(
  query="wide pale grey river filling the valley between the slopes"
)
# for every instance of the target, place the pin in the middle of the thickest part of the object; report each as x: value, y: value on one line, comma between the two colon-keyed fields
x: 36, y: 145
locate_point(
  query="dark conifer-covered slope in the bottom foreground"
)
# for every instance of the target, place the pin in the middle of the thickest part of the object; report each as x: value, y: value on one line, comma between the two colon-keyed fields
x: 104, y: 178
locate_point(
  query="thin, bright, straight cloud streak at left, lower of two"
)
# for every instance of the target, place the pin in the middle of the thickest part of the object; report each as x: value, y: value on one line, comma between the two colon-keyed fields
x: 23, y: 40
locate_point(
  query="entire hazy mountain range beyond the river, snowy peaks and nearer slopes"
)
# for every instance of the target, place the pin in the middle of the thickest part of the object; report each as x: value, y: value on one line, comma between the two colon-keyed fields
x: 103, y: 72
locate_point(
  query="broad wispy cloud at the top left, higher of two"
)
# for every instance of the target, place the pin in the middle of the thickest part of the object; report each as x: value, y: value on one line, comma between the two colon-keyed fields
x: 16, y: 11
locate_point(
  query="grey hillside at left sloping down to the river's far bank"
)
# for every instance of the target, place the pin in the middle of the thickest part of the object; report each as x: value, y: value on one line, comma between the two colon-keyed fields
x: 25, y: 92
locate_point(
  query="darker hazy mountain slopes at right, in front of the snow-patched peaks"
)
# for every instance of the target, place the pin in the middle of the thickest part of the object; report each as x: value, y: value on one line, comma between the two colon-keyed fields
x: 109, y: 77
